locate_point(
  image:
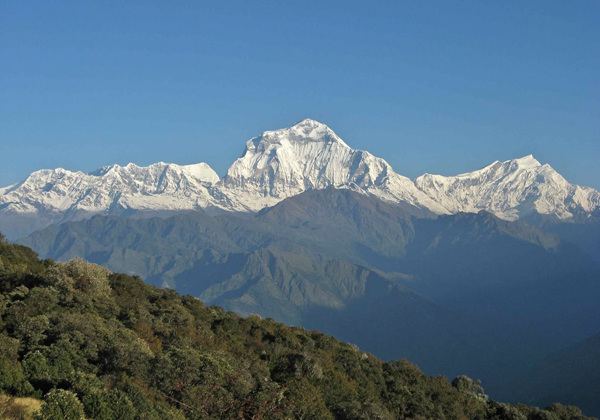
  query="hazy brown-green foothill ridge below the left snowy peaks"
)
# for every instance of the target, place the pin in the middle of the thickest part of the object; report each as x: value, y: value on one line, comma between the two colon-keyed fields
x: 157, y: 249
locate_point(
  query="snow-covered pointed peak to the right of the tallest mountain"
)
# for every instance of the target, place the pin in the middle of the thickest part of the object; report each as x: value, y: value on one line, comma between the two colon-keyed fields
x: 512, y: 190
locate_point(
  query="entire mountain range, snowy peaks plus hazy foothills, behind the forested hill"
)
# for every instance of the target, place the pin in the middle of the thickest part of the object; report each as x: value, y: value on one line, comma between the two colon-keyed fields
x: 487, y: 273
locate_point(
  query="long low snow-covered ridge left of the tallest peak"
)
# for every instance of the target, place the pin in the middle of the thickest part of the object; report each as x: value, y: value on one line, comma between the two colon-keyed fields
x: 55, y: 196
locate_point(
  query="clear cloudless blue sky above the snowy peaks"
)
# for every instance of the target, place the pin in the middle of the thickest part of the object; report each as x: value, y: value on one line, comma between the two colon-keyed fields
x: 435, y: 86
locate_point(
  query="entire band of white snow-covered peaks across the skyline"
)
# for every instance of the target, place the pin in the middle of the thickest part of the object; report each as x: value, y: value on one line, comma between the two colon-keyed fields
x: 280, y: 164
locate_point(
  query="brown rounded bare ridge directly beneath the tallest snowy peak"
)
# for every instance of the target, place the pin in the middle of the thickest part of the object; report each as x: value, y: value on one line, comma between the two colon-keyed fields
x: 339, y: 223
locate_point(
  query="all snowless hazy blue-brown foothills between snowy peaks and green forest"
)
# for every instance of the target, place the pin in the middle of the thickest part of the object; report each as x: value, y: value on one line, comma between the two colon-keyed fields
x: 466, y: 293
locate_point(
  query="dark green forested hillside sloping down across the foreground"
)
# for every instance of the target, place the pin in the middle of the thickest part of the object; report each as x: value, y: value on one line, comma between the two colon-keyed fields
x: 108, y: 346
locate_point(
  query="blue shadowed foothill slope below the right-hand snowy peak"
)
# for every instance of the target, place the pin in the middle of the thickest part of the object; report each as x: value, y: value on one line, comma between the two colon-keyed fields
x: 510, y: 271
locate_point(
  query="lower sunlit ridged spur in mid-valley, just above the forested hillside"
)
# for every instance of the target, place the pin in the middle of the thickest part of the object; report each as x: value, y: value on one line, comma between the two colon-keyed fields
x: 276, y: 284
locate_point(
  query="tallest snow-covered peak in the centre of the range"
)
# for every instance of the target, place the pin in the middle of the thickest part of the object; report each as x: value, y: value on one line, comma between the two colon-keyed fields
x: 309, y: 155
